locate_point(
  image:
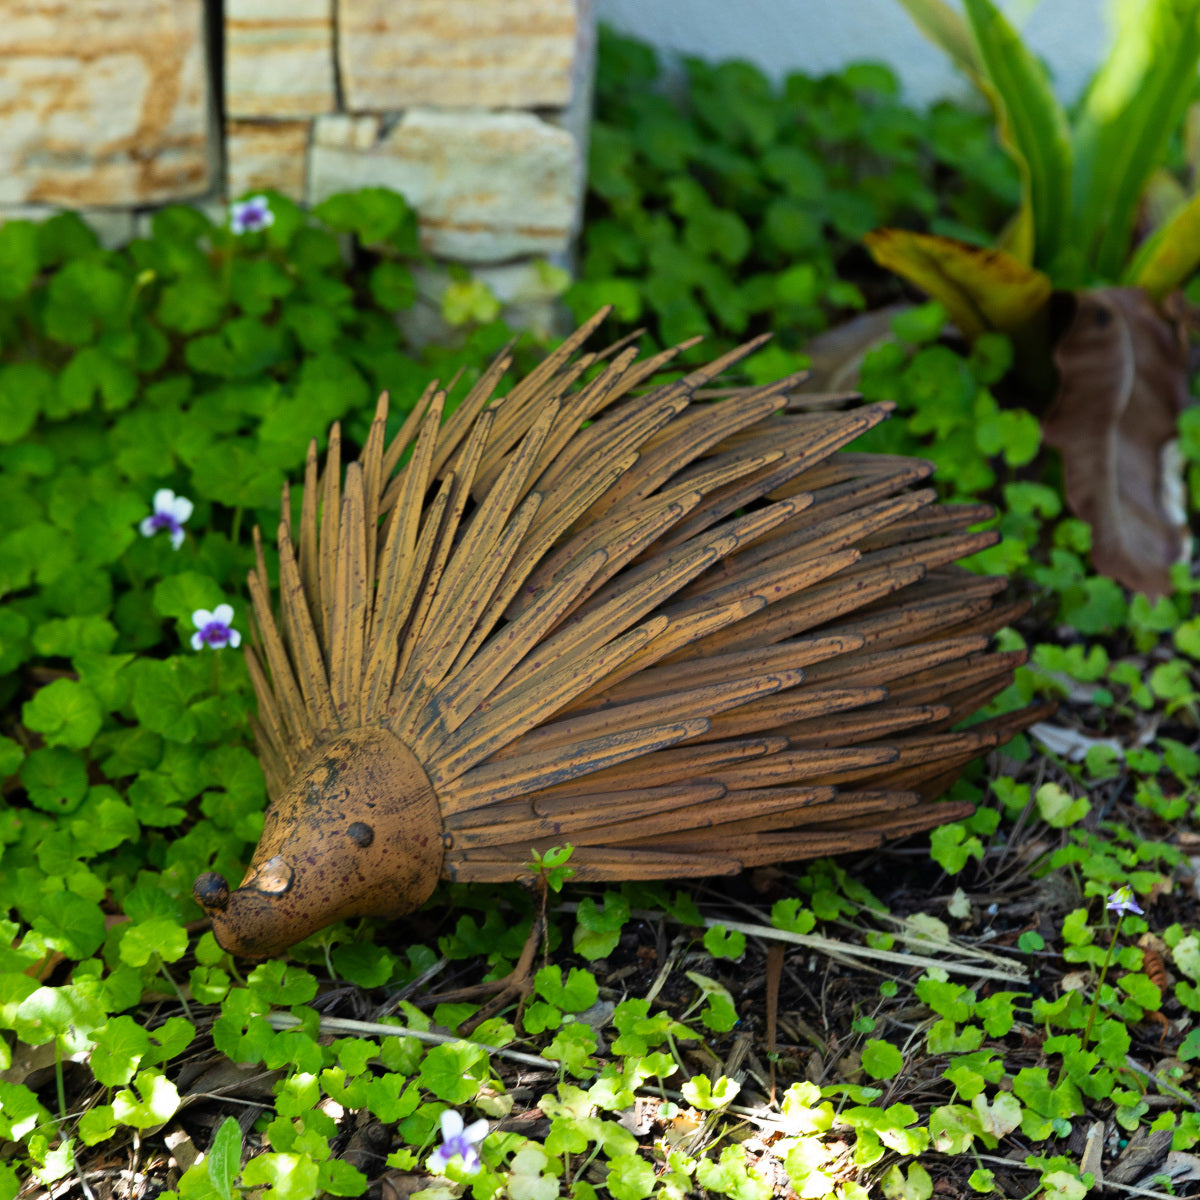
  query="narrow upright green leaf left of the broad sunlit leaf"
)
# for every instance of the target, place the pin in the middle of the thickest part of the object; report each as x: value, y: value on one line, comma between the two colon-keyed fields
x: 1034, y: 124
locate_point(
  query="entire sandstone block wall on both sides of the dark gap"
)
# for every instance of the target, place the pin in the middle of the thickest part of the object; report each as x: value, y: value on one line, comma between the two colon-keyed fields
x: 475, y: 110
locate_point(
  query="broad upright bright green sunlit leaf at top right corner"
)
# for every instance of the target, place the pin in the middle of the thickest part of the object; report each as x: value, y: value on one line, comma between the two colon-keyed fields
x: 1133, y: 106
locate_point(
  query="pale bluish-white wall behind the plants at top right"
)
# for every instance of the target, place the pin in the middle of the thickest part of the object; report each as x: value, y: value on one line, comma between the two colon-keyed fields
x: 818, y: 37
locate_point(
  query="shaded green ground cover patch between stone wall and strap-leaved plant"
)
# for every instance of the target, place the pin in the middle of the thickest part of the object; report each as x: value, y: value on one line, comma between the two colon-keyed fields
x: 724, y: 206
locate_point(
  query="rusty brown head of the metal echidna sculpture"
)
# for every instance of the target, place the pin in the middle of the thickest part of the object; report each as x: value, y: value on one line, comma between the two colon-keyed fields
x: 357, y: 835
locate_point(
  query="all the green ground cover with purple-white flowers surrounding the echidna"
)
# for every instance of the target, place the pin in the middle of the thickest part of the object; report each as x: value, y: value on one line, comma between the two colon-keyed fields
x: 1022, y: 989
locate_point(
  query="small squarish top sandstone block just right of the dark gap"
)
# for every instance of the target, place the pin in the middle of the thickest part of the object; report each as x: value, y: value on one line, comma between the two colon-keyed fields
x: 279, y: 58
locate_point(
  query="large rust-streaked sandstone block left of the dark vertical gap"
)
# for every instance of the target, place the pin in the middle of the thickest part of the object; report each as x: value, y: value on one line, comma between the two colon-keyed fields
x: 104, y: 103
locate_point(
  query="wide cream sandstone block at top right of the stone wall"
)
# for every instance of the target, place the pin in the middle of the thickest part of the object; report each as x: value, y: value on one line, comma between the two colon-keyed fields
x: 458, y: 53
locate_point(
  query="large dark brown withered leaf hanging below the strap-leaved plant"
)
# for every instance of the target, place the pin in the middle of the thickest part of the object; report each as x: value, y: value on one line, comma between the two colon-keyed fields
x: 1123, y: 387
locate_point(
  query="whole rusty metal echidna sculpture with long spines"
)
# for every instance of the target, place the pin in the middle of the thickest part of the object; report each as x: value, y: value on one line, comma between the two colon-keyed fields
x: 685, y: 634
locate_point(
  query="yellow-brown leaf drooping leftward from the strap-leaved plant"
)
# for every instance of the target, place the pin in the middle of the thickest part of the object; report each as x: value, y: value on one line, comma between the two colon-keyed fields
x: 980, y: 289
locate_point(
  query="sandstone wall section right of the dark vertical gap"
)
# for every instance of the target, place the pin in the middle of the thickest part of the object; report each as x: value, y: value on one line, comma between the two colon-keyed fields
x: 464, y: 106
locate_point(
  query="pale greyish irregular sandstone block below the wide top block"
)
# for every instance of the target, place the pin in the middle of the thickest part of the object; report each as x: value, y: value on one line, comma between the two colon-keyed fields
x: 487, y: 187
